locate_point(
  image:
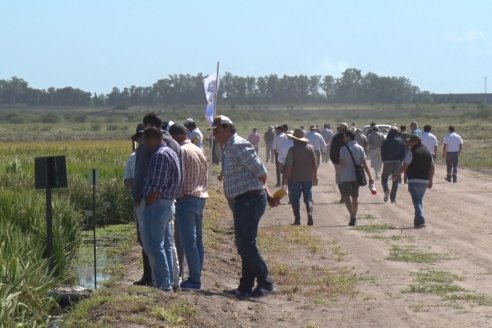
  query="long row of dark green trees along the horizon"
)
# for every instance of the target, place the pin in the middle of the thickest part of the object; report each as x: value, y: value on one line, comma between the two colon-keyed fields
x: 352, y: 87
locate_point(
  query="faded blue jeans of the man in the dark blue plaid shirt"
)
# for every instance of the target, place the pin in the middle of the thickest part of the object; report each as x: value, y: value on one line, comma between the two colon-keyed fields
x: 158, y: 235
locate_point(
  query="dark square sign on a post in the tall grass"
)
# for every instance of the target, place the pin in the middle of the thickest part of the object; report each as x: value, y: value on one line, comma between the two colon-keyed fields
x: 49, y: 173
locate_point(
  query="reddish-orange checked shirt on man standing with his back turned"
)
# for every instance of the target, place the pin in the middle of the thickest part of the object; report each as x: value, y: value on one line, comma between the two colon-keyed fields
x: 195, y: 176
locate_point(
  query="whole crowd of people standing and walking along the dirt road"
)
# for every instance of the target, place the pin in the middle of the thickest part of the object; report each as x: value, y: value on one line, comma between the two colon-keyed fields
x: 168, y: 178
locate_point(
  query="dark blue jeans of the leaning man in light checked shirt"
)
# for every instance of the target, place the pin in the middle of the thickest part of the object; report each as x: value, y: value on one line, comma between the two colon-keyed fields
x: 247, y: 210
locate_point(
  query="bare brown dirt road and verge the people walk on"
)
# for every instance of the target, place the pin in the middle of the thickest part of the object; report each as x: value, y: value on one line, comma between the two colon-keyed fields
x: 458, y: 233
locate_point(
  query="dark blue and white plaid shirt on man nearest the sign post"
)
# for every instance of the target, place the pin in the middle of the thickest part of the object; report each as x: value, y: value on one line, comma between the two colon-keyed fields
x: 163, y: 175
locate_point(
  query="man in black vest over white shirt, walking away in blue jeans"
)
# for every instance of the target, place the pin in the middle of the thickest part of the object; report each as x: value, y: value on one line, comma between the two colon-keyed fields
x: 419, y: 166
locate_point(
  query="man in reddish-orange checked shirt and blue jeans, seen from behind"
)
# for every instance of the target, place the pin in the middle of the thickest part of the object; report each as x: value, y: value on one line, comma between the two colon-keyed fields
x: 190, y: 204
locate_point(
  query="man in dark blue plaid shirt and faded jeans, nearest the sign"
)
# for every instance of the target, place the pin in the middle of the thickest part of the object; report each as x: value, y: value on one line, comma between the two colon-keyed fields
x: 162, y: 184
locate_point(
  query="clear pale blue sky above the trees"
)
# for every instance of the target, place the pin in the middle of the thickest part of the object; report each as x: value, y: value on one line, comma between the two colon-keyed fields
x: 441, y: 46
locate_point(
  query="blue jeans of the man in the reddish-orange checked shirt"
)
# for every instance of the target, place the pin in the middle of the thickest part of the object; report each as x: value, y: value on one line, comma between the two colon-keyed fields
x: 189, y: 217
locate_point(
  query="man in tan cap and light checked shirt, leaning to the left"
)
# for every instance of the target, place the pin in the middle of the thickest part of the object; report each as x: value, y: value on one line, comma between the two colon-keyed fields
x: 245, y: 187
